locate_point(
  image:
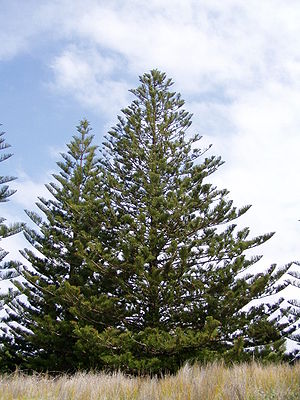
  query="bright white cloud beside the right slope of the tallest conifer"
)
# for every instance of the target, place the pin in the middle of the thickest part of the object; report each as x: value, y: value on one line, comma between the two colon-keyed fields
x: 263, y: 164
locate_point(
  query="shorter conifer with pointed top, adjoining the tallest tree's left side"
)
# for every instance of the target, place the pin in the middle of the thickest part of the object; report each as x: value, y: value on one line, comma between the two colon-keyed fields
x: 59, y: 275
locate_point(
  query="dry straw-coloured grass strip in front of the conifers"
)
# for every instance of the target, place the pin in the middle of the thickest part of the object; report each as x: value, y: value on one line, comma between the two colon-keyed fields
x: 214, y: 382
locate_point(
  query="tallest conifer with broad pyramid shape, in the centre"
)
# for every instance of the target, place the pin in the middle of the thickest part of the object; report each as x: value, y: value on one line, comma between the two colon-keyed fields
x: 180, y: 261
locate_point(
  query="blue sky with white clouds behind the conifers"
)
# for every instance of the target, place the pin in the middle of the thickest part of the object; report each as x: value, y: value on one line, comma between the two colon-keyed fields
x: 236, y: 64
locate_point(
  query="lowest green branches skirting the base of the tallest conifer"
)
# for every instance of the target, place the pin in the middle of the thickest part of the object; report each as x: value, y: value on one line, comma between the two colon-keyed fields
x: 149, y: 351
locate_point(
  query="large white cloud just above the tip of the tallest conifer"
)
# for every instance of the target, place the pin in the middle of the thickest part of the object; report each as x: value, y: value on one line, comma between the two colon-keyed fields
x: 200, y: 43
